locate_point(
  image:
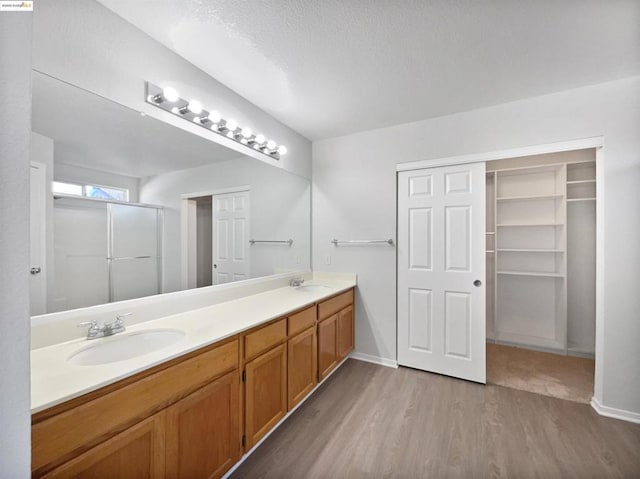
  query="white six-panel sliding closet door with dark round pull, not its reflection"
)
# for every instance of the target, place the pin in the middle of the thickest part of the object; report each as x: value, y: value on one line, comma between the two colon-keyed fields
x: 441, y: 270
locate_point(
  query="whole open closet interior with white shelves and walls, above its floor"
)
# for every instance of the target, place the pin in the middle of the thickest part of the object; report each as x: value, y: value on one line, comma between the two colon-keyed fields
x: 541, y: 250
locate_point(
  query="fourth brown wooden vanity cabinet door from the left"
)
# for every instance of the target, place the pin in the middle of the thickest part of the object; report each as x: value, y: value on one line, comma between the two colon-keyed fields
x: 302, y: 372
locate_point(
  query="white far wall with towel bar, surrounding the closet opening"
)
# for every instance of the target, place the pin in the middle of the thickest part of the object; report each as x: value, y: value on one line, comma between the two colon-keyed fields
x: 354, y: 196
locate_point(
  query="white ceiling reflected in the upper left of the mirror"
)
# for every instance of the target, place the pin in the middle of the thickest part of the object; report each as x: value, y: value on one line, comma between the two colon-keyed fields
x: 93, y: 132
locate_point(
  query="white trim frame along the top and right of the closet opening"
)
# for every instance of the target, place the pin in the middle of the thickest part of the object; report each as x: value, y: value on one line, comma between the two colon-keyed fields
x: 594, y: 142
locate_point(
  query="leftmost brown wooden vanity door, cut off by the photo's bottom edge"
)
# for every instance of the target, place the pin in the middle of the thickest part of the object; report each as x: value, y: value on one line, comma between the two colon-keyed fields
x: 137, y: 452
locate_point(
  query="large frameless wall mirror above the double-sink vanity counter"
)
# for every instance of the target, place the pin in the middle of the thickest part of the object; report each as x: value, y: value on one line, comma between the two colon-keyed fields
x: 125, y: 206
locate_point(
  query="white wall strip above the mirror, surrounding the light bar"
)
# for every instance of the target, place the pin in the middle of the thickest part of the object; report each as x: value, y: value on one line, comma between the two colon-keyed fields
x: 86, y: 44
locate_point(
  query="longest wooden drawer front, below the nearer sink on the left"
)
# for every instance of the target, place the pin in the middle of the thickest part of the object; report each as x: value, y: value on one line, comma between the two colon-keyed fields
x: 62, y: 436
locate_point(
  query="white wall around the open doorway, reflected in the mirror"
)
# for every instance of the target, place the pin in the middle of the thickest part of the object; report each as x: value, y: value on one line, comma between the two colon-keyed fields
x: 280, y: 209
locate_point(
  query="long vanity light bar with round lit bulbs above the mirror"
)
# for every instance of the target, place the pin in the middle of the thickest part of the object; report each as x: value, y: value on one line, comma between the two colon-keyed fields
x: 193, y: 111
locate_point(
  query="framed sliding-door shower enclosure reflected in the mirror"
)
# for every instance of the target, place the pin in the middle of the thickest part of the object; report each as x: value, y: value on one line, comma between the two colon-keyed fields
x: 104, y: 252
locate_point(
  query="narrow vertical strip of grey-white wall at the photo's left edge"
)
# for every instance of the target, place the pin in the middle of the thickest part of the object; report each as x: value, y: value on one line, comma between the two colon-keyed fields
x: 15, y: 125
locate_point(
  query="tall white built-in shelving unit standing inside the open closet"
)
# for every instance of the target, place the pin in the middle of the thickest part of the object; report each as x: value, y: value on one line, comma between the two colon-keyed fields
x: 529, y: 263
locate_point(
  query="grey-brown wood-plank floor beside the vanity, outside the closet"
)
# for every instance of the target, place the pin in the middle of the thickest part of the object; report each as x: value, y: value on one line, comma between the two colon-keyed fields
x: 369, y: 421
